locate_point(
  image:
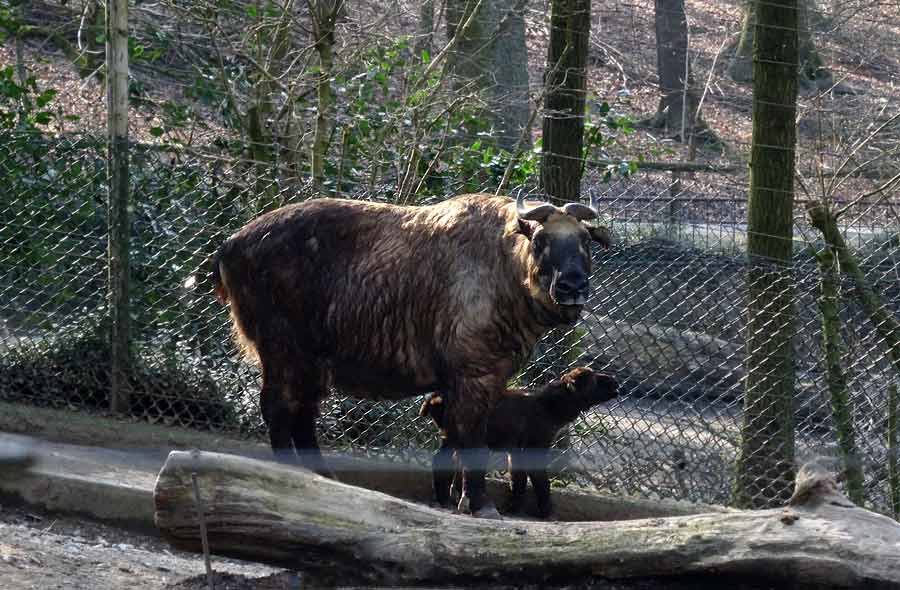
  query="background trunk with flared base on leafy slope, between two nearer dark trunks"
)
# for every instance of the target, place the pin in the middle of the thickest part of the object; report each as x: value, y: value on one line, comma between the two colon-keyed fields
x: 679, y: 99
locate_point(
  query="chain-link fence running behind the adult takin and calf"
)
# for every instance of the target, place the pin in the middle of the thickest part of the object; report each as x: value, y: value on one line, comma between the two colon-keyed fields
x: 668, y: 318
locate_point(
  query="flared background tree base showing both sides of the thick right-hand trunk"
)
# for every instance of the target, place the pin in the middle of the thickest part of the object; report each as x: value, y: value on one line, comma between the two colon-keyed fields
x: 812, y: 70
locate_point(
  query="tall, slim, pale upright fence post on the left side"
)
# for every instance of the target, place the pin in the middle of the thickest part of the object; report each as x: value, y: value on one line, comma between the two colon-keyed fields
x: 117, y: 176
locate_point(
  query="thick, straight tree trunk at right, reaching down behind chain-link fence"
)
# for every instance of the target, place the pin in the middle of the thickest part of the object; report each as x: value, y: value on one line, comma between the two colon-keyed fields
x: 765, y: 465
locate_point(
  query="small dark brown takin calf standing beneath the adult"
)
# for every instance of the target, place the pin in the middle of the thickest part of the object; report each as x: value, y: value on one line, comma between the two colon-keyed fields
x: 524, y: 426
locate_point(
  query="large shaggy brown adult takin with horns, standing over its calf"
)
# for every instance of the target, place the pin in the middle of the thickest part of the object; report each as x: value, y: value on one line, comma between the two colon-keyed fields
x: 384, y: 302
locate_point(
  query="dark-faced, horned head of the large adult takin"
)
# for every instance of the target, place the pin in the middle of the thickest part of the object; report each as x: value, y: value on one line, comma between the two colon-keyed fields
x: 560, y: 249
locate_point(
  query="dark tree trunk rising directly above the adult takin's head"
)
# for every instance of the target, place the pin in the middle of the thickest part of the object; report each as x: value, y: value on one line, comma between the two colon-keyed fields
x: 563, y: 133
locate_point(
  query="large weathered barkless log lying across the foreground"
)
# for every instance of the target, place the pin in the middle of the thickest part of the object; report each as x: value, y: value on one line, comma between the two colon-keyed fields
x: 289, y: 517
